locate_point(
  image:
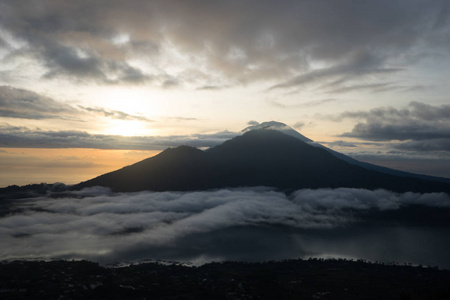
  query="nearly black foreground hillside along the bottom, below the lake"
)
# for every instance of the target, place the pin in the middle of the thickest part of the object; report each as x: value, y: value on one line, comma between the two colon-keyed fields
x: 290, y: 279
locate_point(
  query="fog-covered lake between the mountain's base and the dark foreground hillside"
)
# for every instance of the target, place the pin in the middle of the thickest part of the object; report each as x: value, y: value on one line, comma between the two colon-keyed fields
x: 252, y: 224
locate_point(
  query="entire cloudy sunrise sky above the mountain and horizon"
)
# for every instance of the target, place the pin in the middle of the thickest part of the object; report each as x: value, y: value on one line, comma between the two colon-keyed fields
x: 89, y: 86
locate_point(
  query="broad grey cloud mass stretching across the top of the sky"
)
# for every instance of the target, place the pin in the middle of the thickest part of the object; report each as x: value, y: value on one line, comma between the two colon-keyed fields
x: 243, y: 41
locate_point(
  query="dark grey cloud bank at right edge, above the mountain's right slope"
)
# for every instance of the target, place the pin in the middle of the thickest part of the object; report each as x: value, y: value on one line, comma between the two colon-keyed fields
x: 424, y: 127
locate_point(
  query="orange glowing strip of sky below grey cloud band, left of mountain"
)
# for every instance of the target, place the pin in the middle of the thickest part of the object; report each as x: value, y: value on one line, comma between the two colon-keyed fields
x: 22, y: 166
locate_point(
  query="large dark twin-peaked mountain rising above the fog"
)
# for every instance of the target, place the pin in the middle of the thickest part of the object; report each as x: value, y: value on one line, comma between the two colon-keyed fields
x: 259, y: 157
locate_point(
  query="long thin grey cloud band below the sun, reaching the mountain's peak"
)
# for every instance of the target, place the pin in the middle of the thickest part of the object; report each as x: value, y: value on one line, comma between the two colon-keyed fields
x: 23, y: 137
